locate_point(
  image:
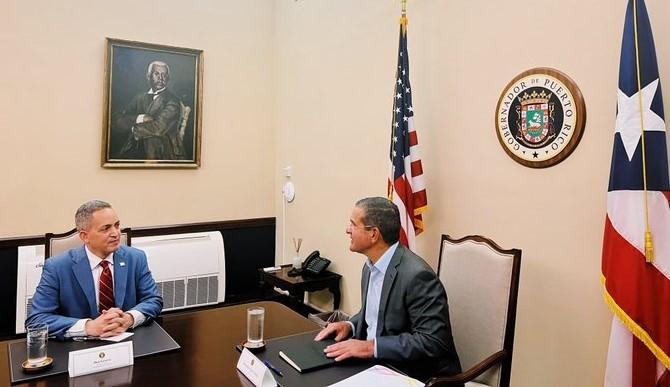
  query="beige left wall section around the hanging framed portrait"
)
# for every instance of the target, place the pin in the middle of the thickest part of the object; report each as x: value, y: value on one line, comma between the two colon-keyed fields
x: 51, y: 103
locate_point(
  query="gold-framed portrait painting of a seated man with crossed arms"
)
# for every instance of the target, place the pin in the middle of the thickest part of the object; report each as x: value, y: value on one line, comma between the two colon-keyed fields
x: 153, y: 106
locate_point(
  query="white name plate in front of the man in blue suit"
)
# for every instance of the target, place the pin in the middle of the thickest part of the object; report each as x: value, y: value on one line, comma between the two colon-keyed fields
x: 106, y: 357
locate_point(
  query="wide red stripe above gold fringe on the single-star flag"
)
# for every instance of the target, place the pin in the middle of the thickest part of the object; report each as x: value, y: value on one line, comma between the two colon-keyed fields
x: 637, y: 287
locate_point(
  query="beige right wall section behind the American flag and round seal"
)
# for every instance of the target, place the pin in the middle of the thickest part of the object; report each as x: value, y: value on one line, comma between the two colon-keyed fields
x: 335, y: 71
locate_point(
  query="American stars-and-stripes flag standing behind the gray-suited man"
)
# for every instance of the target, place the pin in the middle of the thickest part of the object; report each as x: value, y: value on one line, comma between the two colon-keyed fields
x: 406, y: 187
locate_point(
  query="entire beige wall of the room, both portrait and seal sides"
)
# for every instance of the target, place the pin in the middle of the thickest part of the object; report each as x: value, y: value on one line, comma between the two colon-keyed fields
x: 308, y: 84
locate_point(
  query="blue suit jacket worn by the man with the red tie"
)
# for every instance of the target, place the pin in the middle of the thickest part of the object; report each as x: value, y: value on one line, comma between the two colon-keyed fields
x: 66, y: 292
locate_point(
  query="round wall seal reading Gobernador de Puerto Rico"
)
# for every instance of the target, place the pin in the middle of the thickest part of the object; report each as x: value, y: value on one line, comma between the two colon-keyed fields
x: 540, y: 117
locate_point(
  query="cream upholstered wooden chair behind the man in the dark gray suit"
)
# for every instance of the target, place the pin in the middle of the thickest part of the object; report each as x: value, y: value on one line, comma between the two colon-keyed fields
x: 482, y: 283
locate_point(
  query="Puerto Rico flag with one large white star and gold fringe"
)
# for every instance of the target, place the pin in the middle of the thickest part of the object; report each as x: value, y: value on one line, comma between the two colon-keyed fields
x: 637, y: 290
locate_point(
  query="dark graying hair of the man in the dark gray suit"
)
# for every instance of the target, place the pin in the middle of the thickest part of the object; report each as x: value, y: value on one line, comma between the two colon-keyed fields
x: 383, y: 214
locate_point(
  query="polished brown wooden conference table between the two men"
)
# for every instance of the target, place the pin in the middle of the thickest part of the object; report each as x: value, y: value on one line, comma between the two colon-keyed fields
x: 207, y: 356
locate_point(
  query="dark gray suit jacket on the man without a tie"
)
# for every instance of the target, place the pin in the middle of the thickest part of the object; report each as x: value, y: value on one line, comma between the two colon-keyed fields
x: 413, y: 329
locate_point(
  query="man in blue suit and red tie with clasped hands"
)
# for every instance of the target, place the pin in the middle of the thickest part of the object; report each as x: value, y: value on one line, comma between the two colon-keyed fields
x: 101, y: 289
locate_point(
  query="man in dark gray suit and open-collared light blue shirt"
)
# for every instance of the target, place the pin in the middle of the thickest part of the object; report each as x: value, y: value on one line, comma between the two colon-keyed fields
x: 404, y: 318
